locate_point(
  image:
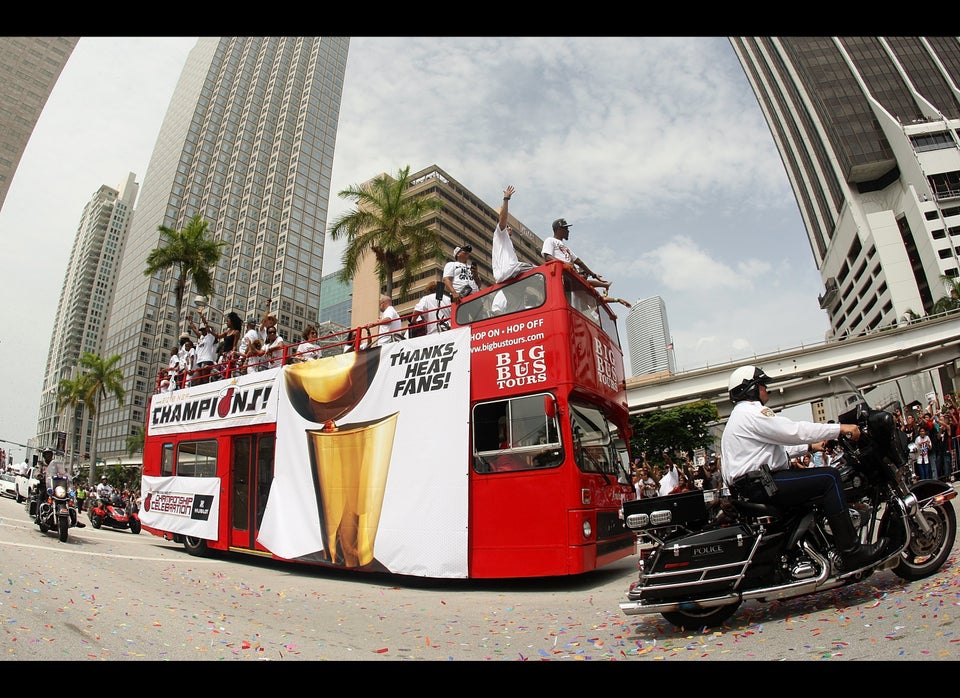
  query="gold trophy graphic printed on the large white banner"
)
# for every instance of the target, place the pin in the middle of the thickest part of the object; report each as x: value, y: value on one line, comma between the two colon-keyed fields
x: 349, y: 462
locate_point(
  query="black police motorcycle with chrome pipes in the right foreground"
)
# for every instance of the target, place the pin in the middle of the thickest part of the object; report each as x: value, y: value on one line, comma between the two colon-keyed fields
x: 703, y: 553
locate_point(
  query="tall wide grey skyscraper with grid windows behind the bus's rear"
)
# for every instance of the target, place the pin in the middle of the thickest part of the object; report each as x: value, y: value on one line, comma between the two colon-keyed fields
x: 247, y: 143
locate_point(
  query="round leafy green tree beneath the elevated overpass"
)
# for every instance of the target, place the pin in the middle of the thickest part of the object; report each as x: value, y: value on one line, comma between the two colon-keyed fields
x: 683, y: 428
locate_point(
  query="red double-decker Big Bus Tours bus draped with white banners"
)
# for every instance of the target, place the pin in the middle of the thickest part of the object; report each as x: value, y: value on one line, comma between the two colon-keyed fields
x: 495, y: 449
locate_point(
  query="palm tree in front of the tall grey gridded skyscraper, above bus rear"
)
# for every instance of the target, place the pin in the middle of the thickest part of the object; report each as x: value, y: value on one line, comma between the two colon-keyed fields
x: 191, y: 254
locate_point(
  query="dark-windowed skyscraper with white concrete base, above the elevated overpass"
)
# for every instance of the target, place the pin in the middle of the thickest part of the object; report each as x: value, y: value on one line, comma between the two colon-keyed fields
x: 867, y: 128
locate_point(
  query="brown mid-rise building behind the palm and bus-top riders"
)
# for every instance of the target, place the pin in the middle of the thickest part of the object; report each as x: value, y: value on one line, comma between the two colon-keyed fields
x: 464, y: 218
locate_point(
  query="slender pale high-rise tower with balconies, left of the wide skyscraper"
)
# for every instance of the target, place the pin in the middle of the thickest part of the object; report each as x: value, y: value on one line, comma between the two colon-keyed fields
x: 85, y: 300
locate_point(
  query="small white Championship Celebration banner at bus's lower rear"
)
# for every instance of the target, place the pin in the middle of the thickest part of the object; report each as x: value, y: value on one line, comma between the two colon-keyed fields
x: 187, y: 505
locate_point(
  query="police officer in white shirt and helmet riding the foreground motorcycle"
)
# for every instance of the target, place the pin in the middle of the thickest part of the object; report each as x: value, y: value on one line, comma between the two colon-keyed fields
x: 755, y: 436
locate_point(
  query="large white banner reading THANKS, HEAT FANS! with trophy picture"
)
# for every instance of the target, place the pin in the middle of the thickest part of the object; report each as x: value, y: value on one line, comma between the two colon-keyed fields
x: 403, y: 438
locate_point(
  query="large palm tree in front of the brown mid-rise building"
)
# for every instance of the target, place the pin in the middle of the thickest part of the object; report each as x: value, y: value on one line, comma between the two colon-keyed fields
x: 388, y: 223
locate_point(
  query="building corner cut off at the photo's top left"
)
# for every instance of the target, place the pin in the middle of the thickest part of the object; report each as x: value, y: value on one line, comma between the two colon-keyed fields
x: 29, y: 68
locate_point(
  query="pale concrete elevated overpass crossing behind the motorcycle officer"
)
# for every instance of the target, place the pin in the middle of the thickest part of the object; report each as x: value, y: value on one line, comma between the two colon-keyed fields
x: 803, y: 375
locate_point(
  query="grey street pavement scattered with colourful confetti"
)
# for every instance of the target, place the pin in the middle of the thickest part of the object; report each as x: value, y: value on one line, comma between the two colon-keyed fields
x: 111, y: 595
